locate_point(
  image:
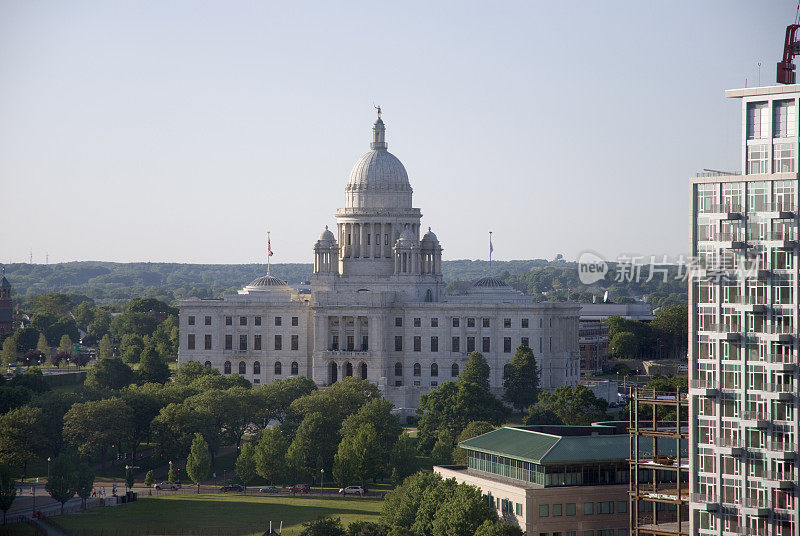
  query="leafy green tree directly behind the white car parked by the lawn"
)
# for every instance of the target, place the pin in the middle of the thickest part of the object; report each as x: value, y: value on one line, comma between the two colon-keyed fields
x: 358, y: 456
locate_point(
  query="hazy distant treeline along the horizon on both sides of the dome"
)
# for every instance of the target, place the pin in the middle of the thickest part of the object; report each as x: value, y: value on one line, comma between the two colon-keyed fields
x: 109, y: 282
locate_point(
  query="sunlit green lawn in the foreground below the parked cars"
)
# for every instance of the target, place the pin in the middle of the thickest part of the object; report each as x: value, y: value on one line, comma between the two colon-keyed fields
x: 221, y: 515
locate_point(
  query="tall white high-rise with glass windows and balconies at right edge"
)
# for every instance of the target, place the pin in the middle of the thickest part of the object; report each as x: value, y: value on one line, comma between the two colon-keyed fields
x: 743, y: 326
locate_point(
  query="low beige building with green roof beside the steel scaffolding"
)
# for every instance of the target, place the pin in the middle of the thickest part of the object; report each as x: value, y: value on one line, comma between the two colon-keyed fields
x: 552, y: 480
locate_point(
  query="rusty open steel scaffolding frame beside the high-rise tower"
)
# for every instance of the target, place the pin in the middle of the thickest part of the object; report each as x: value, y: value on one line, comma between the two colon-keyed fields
x: 659, y: 463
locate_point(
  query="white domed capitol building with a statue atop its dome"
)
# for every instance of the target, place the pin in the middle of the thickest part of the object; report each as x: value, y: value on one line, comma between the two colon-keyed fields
x: 377, y: 308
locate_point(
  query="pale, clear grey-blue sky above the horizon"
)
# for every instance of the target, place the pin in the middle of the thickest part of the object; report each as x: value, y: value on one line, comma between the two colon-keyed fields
x: 183, y: 131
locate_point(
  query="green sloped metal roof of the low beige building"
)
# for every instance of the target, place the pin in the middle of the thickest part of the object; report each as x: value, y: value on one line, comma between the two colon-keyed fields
x: 543, y: 449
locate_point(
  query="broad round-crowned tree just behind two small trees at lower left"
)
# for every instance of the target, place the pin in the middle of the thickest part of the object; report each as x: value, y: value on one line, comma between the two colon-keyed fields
x: 94, y: 426
